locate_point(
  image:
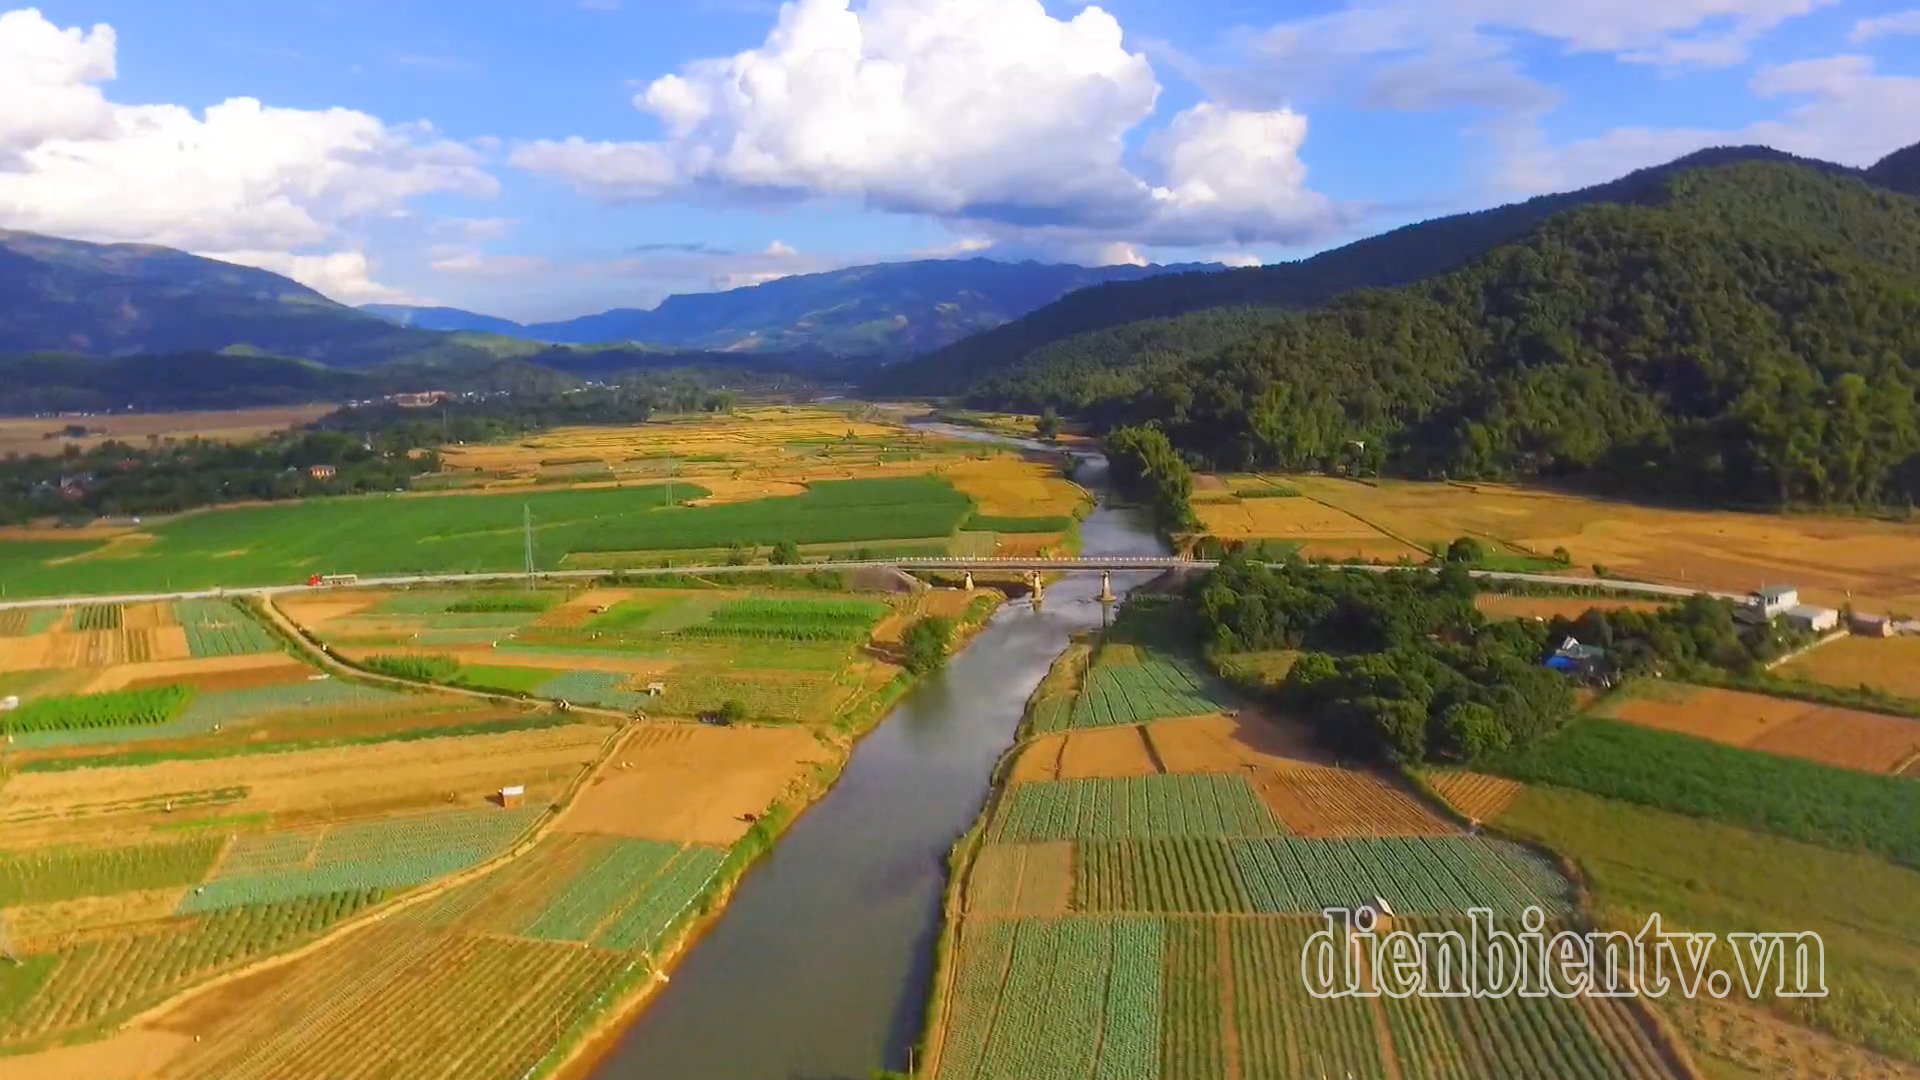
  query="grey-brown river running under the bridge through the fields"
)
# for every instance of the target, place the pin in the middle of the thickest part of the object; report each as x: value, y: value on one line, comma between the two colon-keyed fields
x: 821, y: 966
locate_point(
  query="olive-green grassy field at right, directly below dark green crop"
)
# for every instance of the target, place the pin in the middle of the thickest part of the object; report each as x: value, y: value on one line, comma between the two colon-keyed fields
x: 1714, y: 877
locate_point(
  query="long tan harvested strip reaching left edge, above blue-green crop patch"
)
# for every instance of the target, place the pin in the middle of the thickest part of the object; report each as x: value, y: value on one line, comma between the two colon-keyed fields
x: 314, y: 783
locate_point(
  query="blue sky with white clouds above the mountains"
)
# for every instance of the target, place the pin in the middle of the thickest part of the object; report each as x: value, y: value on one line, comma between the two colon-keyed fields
x: 546, y: 159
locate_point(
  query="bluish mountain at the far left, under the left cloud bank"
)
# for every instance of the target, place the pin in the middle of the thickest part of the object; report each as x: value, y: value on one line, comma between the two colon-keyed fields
x: 137, y: 299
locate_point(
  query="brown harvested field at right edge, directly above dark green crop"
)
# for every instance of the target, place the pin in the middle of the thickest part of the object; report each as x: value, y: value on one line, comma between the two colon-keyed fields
x: 1829, y: 735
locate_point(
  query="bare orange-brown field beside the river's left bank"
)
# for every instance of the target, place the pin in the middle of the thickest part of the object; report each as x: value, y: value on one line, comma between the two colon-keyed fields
x: 694, y: 783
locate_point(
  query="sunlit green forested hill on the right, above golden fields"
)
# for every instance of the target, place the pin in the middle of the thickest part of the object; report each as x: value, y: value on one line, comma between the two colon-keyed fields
x: 1754, y: 337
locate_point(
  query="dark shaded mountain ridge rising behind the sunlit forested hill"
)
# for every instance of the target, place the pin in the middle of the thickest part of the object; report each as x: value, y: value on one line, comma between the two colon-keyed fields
x: 1403, y: 257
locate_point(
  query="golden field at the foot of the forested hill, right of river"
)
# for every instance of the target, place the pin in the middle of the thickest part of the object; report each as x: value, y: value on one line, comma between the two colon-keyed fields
x: 1831, y: 558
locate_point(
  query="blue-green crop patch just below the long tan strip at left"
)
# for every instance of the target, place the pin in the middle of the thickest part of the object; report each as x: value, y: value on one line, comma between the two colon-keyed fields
x: 385, y: 854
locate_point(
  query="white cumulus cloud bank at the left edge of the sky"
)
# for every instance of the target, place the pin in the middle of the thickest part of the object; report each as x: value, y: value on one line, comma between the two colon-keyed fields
x: 237, y: 178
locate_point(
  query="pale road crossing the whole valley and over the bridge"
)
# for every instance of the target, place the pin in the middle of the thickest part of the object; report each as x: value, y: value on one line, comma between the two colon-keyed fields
x: 1092, y: 564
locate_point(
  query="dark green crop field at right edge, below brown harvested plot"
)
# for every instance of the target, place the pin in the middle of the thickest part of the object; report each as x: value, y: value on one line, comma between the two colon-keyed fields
x: 1800, y: 800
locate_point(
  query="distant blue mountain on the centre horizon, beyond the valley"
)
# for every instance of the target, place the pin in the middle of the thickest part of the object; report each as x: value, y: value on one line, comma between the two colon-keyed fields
x: 875, y: 310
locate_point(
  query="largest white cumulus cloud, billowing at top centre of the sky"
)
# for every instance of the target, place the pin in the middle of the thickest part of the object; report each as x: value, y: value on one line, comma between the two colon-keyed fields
x: 971, y: 110
